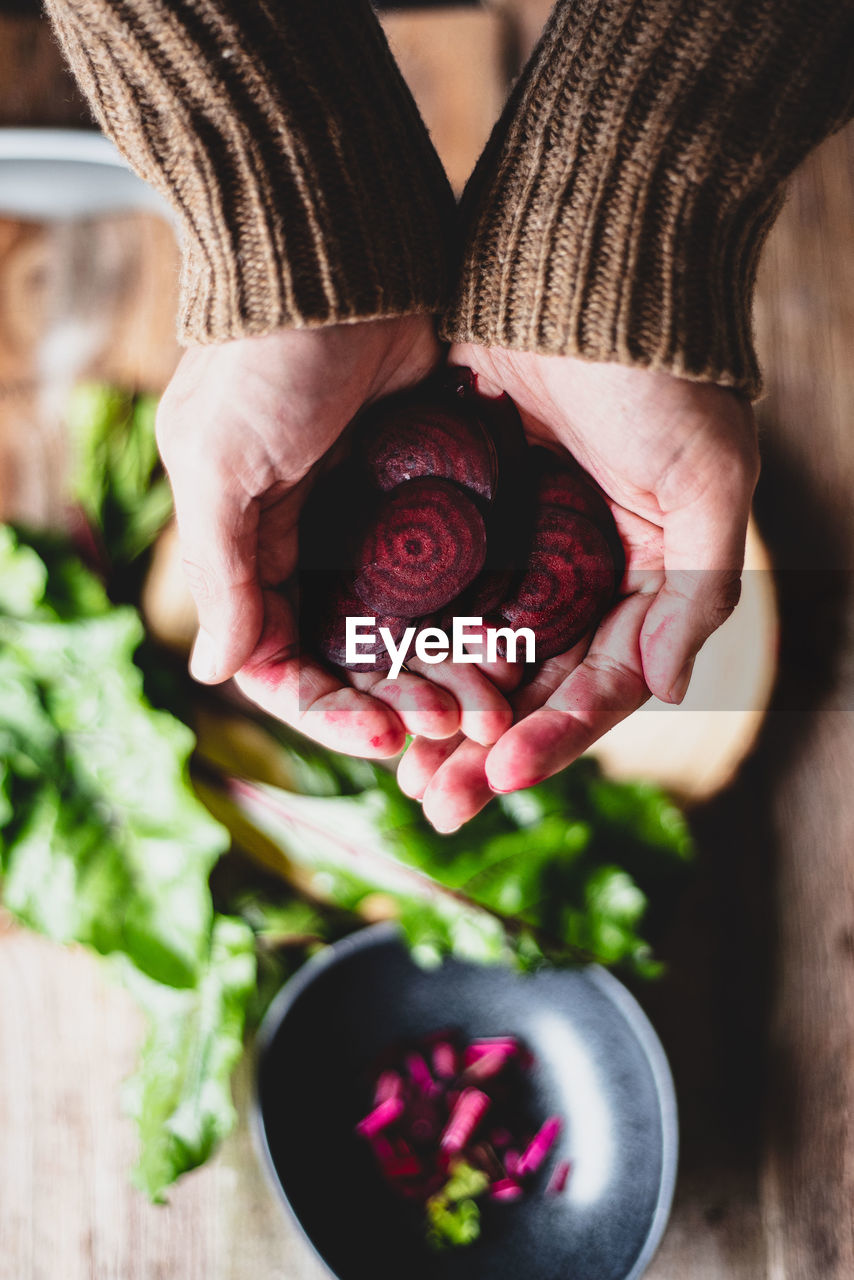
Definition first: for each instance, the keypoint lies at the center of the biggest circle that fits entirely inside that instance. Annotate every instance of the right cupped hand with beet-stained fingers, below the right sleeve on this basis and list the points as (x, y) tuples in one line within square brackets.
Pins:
[(678, 463)]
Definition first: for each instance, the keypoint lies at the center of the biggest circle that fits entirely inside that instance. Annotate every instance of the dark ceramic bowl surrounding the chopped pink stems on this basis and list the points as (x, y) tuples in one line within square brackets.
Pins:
[(599, 1064)]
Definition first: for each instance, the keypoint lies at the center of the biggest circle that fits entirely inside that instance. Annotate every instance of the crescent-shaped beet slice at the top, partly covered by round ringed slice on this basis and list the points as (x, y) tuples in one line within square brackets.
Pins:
[(413, 437)]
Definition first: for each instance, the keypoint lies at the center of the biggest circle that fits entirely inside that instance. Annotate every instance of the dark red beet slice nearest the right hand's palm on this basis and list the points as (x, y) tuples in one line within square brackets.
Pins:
[(568, 584)]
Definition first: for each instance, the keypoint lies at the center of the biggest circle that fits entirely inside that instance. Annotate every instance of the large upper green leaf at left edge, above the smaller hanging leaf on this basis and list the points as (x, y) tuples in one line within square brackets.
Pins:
[(106, 843)]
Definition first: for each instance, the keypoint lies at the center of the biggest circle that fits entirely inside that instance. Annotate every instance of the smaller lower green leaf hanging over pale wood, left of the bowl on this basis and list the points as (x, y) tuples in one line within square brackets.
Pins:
[(180, 1095)]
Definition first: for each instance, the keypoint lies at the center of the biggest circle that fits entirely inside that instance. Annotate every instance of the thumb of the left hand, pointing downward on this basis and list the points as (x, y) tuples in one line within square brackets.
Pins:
[(218, 532)]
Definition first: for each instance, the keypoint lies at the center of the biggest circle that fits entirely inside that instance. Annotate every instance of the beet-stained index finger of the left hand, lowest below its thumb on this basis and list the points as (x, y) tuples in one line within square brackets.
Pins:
[(305, 696)]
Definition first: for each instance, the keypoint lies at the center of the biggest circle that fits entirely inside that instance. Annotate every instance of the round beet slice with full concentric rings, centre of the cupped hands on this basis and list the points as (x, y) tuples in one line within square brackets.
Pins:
[(424, 547)]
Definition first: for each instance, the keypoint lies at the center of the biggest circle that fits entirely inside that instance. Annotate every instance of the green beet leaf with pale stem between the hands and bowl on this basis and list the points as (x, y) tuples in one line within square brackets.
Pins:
[(533, 879)]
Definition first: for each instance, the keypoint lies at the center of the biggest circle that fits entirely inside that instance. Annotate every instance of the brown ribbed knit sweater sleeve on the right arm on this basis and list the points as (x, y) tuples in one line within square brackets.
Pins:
[(620, 207)]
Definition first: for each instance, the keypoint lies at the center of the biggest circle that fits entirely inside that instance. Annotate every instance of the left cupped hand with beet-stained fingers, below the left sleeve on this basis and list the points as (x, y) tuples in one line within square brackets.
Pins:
[(243, 431)]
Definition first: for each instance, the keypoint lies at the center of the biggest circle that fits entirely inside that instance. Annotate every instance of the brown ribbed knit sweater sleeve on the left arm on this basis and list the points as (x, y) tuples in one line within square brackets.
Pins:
[(282, 134)]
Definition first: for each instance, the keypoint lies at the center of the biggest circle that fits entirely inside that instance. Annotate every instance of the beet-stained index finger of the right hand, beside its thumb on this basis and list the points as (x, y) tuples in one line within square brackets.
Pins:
[(602, 691)]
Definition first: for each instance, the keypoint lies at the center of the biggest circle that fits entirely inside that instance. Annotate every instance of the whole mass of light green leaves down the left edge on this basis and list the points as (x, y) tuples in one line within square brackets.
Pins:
[(104, 843)]
